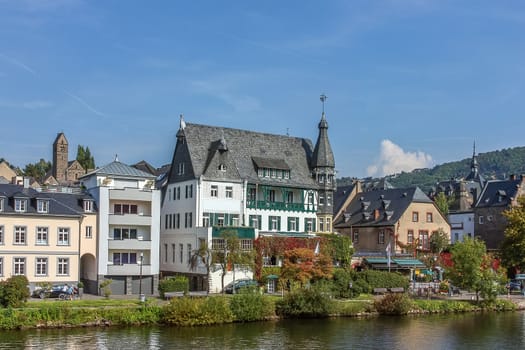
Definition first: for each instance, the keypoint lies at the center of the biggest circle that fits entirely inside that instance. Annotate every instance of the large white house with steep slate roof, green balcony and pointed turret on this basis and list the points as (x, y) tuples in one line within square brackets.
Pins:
[(250, 182)]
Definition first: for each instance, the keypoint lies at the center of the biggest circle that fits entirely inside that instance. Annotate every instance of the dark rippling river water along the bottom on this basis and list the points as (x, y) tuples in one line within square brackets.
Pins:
[(468, 331)]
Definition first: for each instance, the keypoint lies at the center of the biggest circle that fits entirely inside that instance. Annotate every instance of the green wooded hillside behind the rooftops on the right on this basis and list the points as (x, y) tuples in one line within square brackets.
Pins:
[(492, 165)]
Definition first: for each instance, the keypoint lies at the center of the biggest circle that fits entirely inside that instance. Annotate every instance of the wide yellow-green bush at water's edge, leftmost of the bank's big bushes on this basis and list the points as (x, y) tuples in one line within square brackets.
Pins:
[(197, 312)]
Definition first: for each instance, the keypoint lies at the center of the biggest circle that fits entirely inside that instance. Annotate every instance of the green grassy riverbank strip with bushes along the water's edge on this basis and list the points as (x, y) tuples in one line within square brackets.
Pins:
[(225, 309)]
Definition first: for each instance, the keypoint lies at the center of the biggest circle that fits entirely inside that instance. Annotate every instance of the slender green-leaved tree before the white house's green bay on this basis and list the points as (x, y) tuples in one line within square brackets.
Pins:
[(232, 255)]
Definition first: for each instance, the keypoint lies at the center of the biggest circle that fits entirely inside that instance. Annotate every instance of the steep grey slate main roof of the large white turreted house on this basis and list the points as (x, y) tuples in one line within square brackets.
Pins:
[(244, 149)]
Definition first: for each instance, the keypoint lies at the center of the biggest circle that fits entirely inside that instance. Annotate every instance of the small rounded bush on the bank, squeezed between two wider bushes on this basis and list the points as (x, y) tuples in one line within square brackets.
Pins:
[(248, 307)]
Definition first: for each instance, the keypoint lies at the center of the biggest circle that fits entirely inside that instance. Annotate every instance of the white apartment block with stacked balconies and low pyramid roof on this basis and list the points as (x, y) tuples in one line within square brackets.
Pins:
[(128, 242)]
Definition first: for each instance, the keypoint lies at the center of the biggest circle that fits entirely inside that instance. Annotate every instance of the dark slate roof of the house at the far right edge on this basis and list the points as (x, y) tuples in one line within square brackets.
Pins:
[(499, 193)]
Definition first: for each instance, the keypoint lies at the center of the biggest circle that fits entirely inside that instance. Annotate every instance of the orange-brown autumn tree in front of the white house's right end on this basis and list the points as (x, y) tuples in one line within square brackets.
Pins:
[(303, 265)]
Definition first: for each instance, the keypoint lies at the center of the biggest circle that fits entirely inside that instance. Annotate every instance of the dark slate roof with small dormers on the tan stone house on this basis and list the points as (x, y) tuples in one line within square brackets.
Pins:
[(390, 204)]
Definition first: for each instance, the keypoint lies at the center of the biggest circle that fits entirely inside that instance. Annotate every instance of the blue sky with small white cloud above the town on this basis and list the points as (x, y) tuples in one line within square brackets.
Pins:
[(410, 84)]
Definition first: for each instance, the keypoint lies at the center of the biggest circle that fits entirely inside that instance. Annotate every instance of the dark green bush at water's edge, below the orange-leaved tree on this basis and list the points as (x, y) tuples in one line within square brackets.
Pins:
[(313, 302)]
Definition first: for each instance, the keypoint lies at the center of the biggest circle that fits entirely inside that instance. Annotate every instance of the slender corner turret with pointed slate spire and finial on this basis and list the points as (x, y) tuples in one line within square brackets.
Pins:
[(323, 171)]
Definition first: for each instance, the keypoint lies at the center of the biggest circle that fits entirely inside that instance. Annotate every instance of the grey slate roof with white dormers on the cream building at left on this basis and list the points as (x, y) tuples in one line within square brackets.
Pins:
[(60, 204)]
